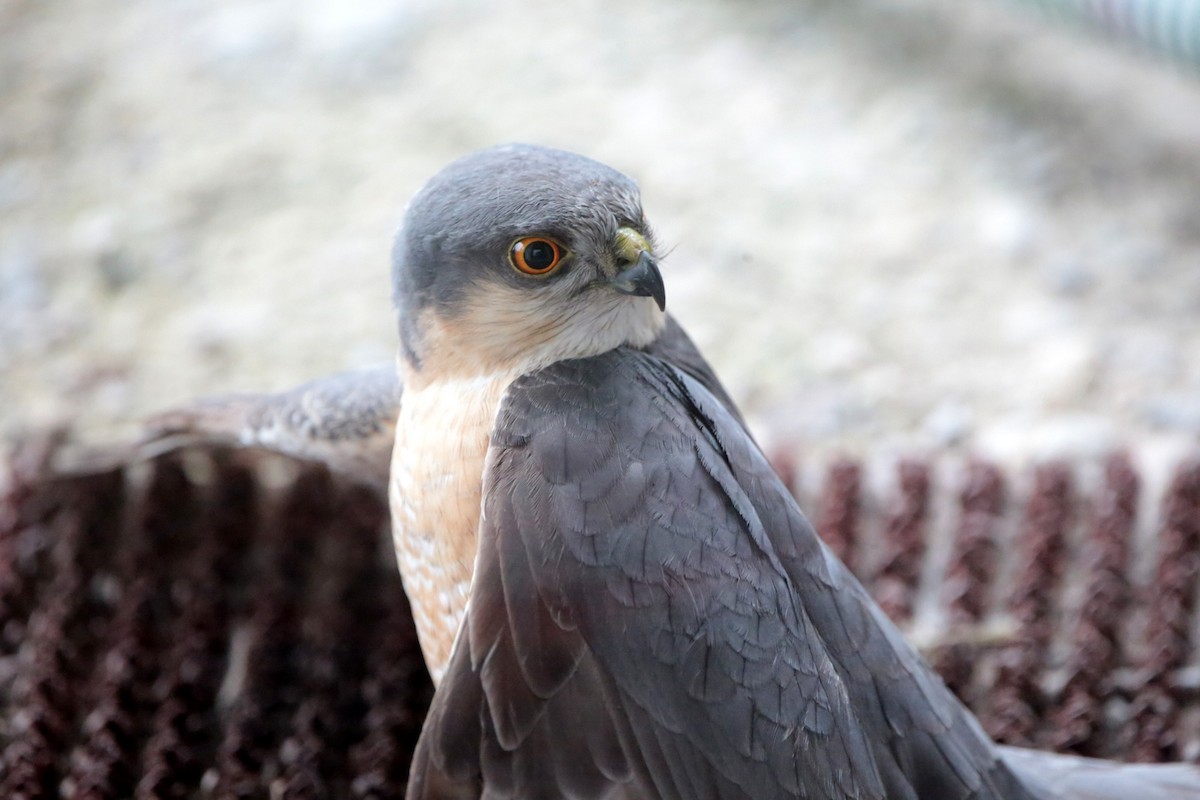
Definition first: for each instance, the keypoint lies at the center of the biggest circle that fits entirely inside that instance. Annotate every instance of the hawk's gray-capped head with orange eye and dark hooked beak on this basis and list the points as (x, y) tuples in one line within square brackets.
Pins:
[(519, 256)]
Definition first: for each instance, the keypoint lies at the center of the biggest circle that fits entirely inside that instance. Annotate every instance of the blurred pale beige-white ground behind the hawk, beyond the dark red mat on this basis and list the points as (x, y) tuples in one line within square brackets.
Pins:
[(893, 225)]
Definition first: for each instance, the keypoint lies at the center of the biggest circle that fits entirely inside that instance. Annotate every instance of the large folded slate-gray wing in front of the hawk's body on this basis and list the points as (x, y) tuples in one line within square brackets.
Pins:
[(653, 617)]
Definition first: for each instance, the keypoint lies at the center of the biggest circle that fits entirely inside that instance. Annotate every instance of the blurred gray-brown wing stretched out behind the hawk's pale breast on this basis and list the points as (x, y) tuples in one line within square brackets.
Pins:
[(347, 420)]
